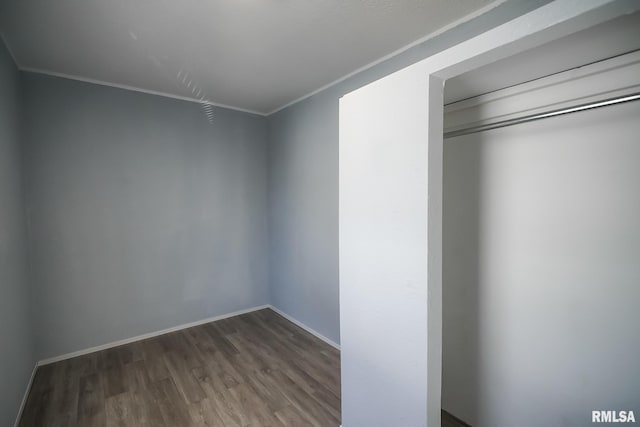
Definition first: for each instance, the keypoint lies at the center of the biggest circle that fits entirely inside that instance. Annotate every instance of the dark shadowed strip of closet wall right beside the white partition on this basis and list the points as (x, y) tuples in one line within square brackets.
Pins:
[(460, 270)]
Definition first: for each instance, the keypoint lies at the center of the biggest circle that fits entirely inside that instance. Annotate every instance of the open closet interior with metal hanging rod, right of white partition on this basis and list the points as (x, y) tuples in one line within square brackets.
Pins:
[(541, 233)]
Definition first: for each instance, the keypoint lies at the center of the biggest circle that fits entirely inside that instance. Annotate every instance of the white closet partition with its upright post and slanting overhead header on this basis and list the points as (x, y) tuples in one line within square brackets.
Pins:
[(390, 219)]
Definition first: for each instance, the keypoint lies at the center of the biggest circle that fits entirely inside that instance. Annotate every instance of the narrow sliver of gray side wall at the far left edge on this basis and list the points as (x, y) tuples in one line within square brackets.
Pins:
[(16, 349)]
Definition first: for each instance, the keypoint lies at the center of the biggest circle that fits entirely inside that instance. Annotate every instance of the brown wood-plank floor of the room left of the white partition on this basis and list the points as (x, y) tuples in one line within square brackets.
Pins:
[(257, 369)]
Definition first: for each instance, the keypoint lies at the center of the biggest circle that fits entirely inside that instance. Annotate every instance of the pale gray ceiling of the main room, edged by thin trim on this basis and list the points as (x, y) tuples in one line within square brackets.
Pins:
[(255, 55)]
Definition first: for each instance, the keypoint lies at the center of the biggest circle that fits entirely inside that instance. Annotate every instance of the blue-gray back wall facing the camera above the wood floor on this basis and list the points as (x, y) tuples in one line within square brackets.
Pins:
[(142, 214)]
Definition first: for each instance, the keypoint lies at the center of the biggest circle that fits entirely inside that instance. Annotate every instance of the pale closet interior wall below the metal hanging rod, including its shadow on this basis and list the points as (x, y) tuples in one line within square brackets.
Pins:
[(541, 270)]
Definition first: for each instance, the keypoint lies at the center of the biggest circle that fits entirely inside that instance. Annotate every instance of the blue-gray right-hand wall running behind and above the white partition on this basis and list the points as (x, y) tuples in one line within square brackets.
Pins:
[(303, 183)]
